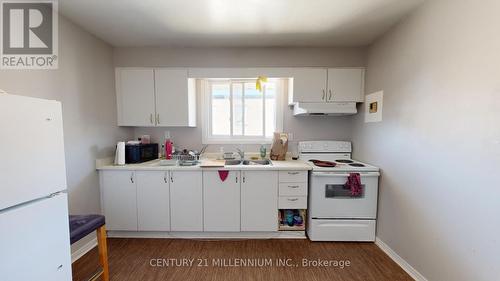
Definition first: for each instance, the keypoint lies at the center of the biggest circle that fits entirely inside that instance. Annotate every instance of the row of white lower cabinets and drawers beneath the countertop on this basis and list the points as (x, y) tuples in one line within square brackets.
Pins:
[(196, 201)]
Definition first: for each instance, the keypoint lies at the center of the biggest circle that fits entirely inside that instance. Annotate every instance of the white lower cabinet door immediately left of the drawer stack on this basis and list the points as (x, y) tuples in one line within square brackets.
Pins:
[(259, 201)]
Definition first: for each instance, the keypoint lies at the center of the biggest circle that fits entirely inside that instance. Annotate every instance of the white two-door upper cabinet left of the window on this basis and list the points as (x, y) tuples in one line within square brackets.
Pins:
[(155, 97)]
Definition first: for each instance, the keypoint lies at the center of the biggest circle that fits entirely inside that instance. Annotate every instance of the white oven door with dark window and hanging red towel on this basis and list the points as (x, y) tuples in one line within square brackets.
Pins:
[(330, 199)]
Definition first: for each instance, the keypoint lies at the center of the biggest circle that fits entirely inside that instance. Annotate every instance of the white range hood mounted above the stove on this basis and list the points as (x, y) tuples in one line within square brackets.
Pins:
[(324, 108)]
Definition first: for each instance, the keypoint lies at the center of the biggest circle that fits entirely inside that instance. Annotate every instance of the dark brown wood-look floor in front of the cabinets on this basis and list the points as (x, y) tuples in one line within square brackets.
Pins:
[(130, 259)]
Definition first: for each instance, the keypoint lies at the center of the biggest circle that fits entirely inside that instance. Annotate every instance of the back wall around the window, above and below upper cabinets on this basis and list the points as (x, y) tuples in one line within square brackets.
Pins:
[(303, 128)]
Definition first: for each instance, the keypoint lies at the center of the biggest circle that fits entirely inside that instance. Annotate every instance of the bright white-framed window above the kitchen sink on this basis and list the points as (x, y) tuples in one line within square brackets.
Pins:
[(236, 112)]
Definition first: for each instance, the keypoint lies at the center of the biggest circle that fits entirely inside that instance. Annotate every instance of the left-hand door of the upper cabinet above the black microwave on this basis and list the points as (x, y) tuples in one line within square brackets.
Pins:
[(135, 96)]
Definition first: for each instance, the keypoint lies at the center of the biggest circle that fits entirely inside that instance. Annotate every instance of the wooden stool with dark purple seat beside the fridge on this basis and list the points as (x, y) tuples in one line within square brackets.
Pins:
[(82, 225)]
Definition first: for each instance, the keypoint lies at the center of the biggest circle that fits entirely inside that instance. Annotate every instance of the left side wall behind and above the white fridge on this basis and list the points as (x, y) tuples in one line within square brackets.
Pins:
[(84, 83)]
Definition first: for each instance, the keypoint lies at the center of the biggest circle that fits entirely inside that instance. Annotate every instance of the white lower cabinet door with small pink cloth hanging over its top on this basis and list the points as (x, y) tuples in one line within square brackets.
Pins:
[(221, 201)]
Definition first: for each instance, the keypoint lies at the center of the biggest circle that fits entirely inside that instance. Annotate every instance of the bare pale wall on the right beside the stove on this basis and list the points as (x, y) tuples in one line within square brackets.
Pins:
[(439, 143)]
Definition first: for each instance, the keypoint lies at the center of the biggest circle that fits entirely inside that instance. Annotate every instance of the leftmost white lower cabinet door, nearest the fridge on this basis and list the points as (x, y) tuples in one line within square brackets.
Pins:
[(119, 199)]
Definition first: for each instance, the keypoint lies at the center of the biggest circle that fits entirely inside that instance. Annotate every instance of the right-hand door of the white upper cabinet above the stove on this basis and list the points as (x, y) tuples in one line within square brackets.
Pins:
[(345, 84)]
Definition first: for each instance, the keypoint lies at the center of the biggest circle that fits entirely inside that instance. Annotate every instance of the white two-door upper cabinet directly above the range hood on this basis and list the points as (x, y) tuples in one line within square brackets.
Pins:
[(321, 85)]
